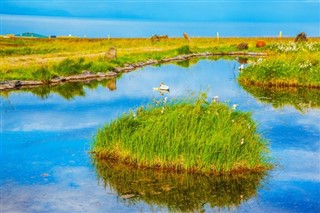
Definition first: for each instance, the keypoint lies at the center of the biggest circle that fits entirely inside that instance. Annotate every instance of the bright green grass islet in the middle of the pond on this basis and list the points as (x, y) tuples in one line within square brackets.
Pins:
[(193, 136)]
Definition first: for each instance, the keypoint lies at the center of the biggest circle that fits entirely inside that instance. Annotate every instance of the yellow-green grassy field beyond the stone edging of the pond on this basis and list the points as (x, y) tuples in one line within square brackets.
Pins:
[(43, 59)]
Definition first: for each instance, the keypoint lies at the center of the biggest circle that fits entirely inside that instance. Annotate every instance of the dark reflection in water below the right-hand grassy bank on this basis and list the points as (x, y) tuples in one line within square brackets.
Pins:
[(299, 98)]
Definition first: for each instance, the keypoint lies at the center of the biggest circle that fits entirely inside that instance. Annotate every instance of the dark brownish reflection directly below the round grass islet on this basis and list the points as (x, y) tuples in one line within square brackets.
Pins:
[(177, 191)]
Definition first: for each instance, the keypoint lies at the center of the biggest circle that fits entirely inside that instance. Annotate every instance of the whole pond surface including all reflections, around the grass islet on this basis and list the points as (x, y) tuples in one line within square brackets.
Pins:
[(47, 133)]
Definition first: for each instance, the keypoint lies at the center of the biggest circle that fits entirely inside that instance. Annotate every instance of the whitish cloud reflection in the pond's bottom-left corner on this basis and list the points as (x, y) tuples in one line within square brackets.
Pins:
[(75, 190)]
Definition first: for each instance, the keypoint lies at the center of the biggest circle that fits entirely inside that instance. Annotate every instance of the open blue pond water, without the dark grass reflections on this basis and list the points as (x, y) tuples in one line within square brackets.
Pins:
[(45, 165)]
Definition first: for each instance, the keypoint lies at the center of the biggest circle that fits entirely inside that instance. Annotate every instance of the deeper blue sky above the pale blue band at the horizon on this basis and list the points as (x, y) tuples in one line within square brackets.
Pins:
[(176, 11)]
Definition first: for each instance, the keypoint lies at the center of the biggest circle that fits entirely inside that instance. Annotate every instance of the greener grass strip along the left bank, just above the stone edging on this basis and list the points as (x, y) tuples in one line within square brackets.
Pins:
[(73, 66)]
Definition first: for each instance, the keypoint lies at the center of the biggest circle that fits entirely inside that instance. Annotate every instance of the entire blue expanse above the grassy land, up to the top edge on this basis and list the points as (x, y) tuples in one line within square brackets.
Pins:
[(142, 18)]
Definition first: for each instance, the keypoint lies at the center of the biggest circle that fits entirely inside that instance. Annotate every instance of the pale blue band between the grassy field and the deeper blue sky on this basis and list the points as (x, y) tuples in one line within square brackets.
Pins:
[(130, 28)]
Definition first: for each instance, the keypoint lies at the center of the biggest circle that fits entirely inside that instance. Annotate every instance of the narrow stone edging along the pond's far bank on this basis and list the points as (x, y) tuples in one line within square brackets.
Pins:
[(87, 75)]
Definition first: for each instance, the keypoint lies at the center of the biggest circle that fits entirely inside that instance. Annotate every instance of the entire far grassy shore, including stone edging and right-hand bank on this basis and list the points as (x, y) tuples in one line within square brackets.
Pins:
[(30, 62)]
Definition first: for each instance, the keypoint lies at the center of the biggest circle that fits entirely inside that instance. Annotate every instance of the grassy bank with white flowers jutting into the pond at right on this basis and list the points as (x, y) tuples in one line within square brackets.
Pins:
[(293, 64)]
